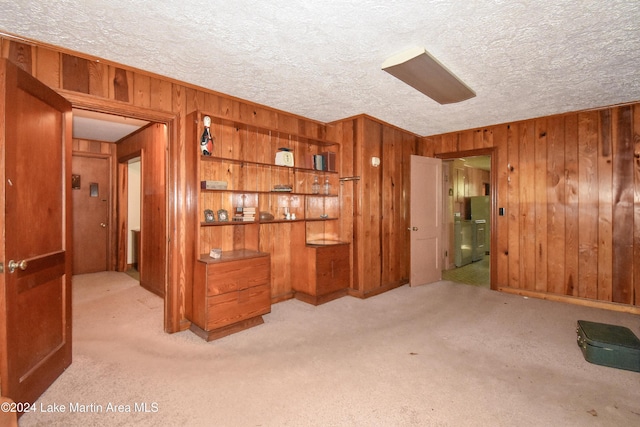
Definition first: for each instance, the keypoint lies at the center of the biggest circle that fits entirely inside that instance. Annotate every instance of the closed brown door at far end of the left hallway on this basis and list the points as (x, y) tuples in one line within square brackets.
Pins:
[(91, 197)]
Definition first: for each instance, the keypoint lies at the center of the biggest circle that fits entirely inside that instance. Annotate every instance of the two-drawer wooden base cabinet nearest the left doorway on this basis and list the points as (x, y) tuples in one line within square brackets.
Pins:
[(230, 294)]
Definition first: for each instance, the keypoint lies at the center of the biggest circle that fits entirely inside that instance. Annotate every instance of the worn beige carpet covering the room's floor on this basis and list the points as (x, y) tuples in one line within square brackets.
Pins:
[(437, 355)]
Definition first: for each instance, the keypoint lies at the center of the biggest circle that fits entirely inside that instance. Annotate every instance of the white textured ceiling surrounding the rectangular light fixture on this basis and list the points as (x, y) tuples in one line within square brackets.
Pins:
[(322, 60)]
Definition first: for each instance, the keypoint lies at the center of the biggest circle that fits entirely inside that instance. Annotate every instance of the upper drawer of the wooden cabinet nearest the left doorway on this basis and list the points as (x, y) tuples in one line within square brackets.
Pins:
[(237, 275)]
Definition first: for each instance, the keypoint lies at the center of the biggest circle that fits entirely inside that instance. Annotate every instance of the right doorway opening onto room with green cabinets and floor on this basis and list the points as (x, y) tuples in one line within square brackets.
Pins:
[(467, 212)]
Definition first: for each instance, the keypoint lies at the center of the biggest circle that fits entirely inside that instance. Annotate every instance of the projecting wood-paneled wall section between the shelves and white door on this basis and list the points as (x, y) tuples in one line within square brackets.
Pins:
[(380, 201)]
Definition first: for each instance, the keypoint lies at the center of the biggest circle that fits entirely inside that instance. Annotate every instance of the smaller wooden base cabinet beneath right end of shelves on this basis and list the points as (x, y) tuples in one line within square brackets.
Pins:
[(323, 273)]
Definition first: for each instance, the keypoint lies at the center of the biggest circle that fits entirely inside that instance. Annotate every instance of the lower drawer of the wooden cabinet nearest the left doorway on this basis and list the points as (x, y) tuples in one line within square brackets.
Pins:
[(232, 307)]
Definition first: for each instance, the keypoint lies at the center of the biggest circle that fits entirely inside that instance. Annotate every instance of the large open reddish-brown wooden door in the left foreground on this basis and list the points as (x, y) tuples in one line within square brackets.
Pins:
[(35, 284)]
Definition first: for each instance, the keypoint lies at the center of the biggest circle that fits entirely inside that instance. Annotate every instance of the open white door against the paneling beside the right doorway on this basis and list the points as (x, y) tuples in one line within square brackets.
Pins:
[(426, 220)]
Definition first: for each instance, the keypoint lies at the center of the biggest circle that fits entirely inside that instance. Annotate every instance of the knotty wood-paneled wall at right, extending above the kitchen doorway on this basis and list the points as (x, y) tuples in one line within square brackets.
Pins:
[(570, 186)]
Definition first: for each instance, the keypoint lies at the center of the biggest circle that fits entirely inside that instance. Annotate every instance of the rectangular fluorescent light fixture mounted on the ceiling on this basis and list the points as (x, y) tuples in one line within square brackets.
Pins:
[(423, 72)]
